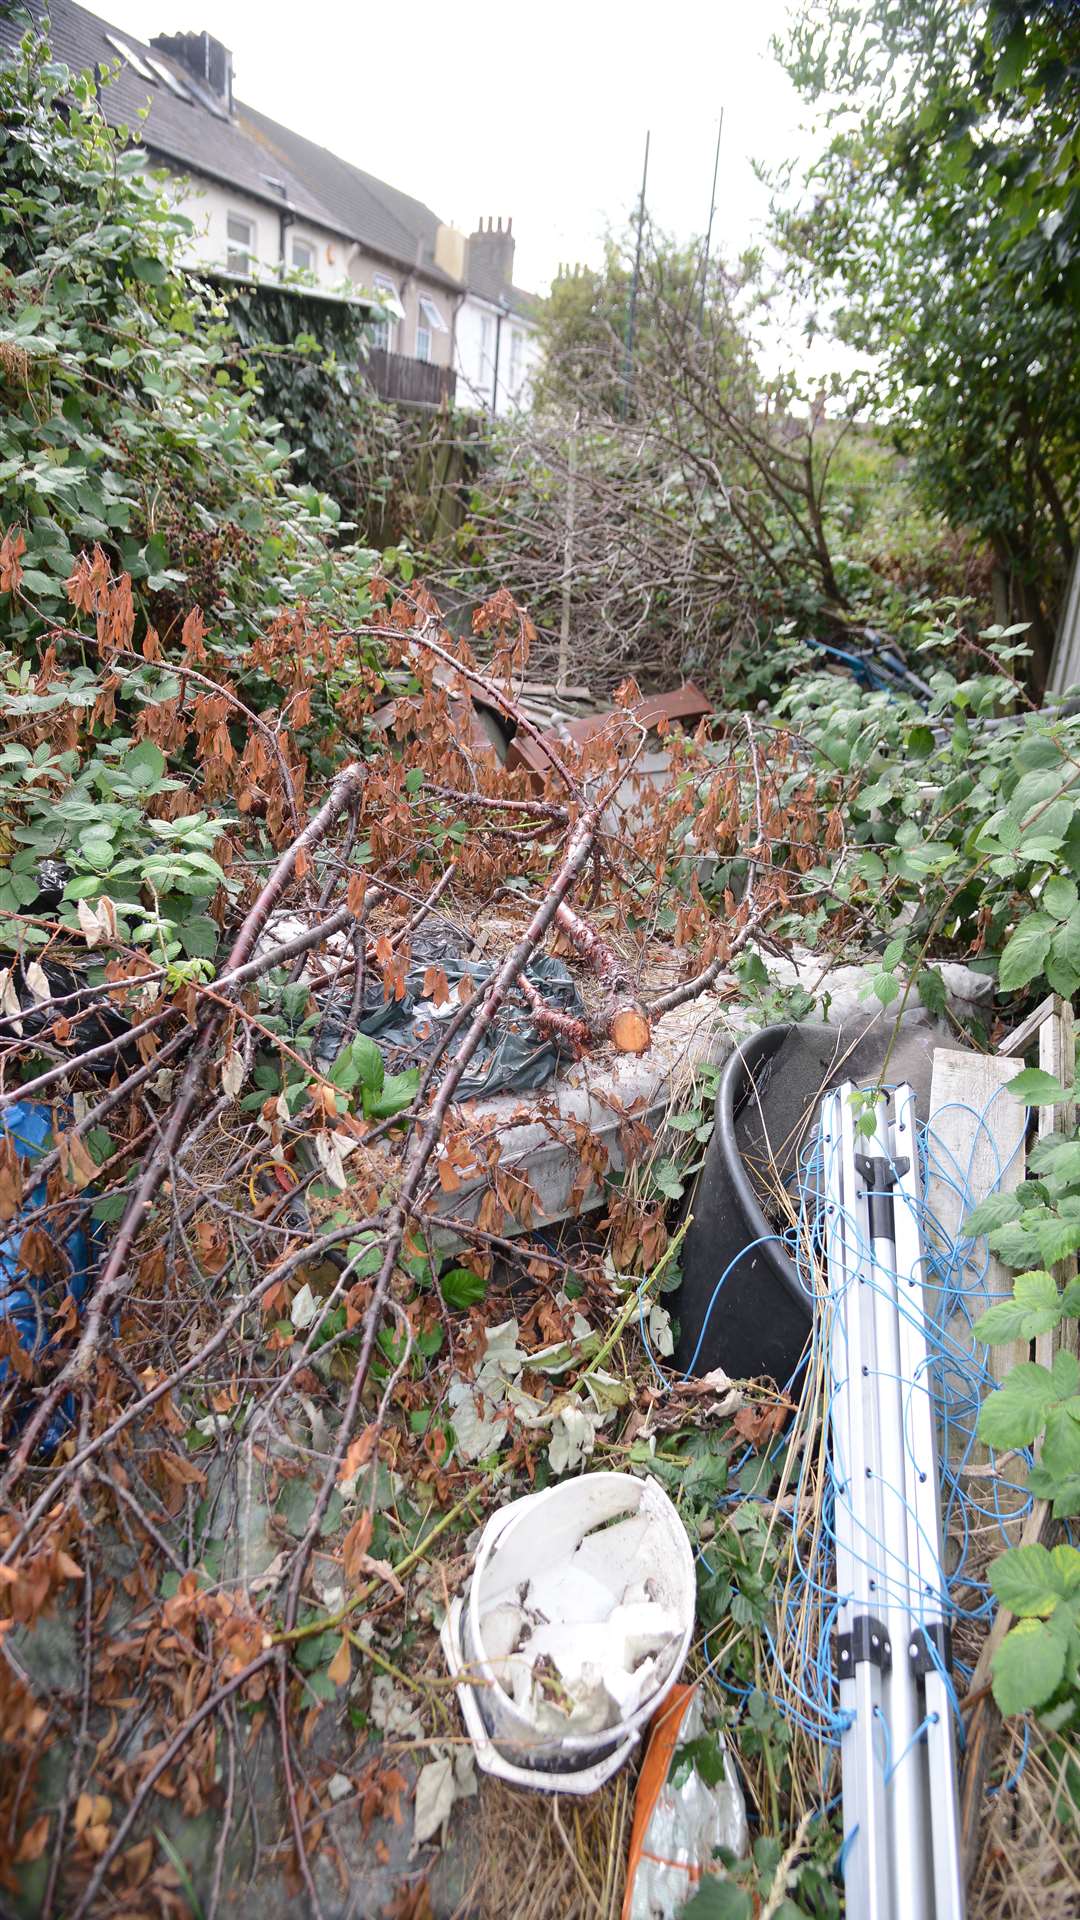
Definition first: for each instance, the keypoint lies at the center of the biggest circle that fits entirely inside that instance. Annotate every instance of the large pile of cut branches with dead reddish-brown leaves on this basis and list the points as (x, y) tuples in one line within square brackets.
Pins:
[(228, 1178)]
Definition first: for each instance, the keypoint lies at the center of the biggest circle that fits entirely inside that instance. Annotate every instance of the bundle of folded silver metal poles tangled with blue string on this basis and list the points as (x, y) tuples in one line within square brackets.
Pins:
[(898, 1754)]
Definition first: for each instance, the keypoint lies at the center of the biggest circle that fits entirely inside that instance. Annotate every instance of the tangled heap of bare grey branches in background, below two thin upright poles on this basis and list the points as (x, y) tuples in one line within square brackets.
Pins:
[(660, 504)]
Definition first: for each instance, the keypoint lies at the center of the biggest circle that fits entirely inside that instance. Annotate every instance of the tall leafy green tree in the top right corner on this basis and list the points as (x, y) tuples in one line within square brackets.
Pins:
[(939, 231)]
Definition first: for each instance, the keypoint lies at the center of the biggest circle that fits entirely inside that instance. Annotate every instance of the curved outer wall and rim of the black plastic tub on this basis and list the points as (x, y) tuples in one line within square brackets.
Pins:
[(760, 1318)]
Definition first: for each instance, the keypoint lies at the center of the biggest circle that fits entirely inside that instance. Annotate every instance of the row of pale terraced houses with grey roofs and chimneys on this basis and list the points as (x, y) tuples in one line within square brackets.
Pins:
[(268, 204)]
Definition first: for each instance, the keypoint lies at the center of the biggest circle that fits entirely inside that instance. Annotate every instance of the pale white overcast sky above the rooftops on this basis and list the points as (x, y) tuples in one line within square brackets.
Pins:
[(528, 112)]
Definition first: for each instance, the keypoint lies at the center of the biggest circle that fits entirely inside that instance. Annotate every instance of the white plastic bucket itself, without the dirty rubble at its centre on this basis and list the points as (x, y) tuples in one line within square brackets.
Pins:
[(533, 1541)]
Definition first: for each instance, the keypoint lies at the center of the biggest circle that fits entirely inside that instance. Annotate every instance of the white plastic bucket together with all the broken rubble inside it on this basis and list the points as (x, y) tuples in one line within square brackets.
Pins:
[(574, 1629)]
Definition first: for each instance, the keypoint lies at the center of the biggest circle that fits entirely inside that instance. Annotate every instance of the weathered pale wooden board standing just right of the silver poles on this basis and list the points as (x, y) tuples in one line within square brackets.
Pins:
[(977, 1149)]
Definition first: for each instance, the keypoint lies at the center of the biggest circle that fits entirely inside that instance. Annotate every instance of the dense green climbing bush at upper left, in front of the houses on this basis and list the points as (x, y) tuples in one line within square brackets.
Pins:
[(126, 418)]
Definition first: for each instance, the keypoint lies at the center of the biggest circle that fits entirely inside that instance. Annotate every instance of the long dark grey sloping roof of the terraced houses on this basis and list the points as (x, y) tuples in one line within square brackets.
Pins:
[(245, 151)]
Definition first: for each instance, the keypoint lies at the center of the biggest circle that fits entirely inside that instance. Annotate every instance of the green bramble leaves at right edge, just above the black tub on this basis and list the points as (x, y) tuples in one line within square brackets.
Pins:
[(960, 819)]
